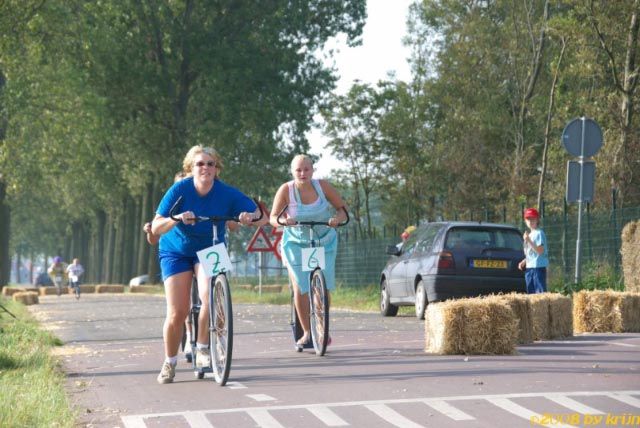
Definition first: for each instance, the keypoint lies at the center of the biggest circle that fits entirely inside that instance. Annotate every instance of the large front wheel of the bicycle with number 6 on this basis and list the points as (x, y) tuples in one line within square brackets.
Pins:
[(319, 312)]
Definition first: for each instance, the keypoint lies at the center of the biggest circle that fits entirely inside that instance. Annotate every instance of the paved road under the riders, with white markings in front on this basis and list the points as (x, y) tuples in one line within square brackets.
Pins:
[(375, 374)]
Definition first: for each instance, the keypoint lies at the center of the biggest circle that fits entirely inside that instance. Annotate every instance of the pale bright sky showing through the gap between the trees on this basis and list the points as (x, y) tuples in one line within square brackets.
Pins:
[(381, 52)]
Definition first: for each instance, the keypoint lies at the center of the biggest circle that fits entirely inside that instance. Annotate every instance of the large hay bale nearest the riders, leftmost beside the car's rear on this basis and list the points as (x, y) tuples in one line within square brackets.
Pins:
[(478, 326)]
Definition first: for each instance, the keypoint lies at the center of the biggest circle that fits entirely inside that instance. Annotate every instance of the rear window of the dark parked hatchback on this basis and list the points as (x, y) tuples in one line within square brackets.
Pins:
[(483, 238)]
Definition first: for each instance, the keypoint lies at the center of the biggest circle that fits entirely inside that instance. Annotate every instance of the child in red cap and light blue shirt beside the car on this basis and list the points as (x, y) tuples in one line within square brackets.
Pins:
[(536, 260)]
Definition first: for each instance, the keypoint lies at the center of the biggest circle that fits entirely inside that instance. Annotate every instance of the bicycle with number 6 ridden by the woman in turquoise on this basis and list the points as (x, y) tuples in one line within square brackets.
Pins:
[(318, 297)]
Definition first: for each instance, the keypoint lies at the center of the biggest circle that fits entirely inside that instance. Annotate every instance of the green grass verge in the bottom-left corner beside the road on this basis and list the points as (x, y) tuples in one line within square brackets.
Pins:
[(31, 381)]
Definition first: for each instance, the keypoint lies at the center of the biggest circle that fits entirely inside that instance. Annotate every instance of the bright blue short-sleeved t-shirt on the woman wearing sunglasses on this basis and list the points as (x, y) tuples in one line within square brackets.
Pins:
[(222, 200)]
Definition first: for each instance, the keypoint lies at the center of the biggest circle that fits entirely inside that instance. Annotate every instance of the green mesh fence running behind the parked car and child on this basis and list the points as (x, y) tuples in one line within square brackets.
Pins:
[(361, 260)]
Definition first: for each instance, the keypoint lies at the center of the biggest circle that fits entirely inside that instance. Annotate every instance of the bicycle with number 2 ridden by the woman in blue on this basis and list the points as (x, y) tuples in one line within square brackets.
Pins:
[(220, 312)]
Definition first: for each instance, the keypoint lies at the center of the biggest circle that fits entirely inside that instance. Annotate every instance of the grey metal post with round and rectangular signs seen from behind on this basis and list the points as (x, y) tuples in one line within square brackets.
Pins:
[(581, 137)]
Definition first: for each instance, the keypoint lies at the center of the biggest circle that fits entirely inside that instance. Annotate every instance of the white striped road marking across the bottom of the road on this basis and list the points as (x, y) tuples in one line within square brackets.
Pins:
[(263, 416)]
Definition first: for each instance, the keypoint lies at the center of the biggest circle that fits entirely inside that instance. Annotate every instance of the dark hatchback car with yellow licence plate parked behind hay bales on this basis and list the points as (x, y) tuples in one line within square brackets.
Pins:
[(447, 260)]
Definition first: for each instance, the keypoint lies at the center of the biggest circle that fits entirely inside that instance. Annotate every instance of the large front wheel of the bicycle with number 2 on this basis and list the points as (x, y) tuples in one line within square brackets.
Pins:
[(220, 328)]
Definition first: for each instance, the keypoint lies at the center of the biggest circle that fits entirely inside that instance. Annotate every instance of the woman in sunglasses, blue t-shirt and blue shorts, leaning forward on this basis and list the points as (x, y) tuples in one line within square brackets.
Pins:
[(203, 194)]
